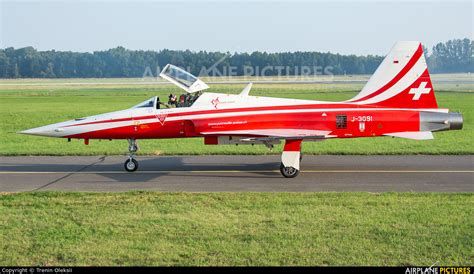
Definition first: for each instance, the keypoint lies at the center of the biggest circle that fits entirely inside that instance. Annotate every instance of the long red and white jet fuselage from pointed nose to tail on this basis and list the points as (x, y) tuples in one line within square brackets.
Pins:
[(214, 112)]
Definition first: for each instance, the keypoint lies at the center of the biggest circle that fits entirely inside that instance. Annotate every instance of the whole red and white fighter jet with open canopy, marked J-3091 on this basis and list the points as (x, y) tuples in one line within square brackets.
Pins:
[(397, 101)]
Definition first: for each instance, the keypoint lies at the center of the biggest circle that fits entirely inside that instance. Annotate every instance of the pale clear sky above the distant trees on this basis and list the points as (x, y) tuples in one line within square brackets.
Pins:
[(346, 27)]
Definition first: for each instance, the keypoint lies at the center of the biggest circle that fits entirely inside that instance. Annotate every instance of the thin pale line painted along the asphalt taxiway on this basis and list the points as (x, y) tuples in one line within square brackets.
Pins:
[(234, 171)]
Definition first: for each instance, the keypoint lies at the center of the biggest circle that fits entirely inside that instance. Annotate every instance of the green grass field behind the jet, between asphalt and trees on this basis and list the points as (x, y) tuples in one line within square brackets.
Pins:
[(34, 102)]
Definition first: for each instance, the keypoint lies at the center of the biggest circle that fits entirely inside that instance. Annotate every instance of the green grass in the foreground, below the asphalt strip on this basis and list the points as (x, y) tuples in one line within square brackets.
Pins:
[(144, 228)]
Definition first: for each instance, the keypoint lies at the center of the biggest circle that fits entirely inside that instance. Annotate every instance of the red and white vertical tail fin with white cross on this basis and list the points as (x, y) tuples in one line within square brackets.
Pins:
[(402, 80)]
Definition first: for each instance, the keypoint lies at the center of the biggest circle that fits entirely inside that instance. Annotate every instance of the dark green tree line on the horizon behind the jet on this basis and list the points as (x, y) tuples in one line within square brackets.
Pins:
[(449, 57)]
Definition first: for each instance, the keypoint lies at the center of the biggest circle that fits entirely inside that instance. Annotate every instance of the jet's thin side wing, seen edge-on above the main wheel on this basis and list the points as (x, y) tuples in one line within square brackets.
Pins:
[(273, 134)]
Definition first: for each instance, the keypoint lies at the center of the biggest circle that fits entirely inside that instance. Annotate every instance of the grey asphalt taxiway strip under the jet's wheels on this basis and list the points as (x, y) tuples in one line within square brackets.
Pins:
[(238, 173)]
